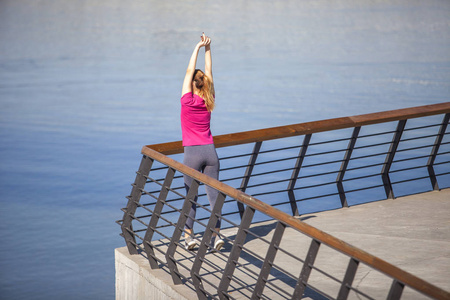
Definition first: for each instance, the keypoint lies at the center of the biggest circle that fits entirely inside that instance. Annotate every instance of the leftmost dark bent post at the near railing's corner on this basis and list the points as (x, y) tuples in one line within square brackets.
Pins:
[(133, 199)]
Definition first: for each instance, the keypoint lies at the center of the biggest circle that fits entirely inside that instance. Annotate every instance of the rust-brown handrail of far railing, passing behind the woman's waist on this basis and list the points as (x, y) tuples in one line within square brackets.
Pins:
[(310, 127)]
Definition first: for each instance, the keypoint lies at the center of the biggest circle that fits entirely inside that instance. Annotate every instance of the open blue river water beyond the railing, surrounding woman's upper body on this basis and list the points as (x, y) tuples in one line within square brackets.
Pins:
[(84, 84)]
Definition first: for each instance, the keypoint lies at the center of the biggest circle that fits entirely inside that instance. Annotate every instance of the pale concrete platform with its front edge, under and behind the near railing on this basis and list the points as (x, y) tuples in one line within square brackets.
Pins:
[(412, 233)]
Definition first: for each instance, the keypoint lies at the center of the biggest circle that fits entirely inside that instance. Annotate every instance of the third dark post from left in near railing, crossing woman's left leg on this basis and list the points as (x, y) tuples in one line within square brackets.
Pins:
[(184, 214)]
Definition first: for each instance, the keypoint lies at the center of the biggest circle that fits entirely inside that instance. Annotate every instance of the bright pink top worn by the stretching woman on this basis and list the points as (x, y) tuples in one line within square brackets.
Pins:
[(195, 121)]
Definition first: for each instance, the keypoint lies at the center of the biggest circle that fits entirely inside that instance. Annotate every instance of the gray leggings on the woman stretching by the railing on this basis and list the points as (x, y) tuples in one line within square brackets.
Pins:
[(202, 158)]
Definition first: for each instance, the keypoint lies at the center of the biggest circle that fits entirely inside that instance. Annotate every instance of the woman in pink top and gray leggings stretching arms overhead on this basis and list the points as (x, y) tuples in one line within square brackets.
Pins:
[(197, 103)]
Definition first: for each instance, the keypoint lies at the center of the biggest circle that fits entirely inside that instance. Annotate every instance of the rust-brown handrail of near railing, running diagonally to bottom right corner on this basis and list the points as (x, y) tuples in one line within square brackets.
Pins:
[(339, 245)]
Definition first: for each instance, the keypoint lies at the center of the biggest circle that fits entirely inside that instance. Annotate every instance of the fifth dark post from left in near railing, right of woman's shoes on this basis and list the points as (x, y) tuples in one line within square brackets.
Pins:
[(235, 252)]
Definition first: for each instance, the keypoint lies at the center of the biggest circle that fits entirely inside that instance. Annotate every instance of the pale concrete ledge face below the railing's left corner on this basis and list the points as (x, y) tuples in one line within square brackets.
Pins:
[(135, 280)]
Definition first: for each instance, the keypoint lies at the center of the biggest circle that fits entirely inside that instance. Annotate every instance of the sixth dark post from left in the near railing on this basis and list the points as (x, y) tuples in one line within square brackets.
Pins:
[(268, 261)]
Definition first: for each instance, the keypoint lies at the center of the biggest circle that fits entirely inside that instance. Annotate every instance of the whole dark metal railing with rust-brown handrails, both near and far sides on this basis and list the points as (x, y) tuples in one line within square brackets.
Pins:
[(335, 163)]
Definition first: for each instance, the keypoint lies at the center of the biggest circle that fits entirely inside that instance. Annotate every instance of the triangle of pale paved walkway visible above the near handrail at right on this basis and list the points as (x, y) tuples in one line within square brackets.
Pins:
[(412, 233)]
